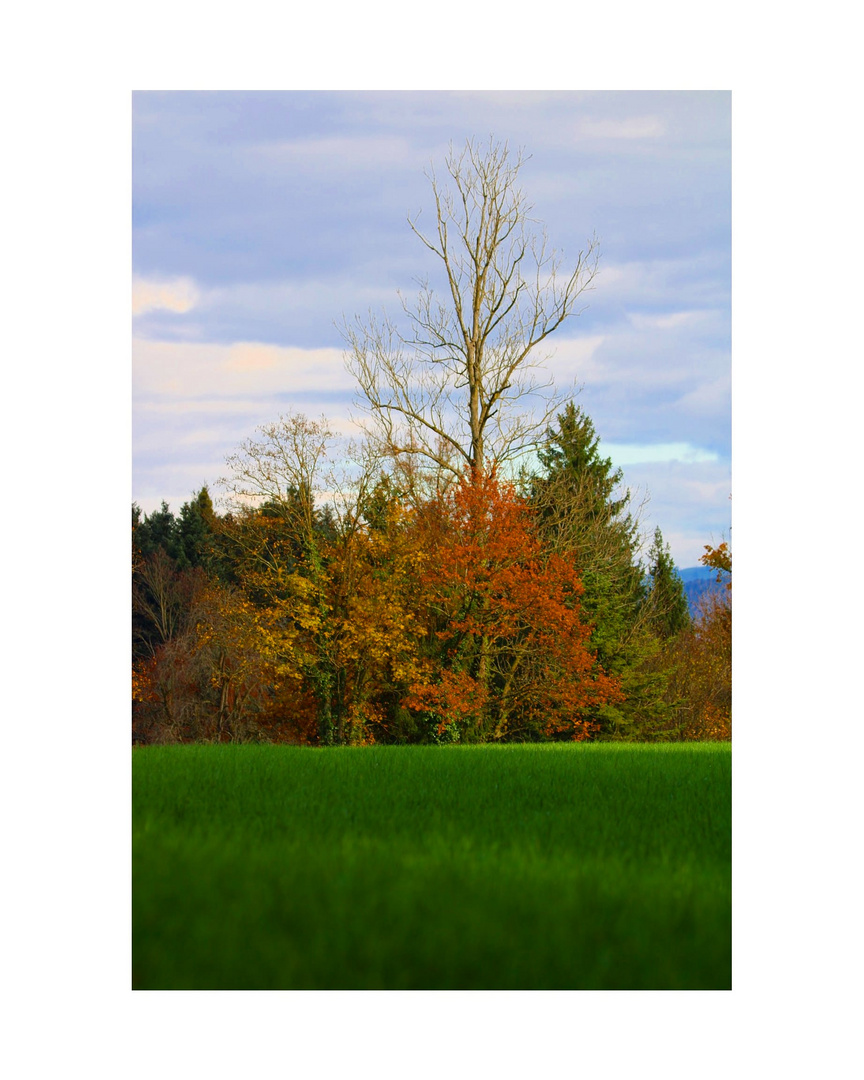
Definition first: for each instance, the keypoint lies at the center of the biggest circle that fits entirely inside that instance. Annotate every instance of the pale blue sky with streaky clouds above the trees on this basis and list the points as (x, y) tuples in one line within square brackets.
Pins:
[(262, 220)]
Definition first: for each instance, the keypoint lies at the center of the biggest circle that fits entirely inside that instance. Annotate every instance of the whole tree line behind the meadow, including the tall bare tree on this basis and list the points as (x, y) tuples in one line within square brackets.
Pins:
[(425, 586)]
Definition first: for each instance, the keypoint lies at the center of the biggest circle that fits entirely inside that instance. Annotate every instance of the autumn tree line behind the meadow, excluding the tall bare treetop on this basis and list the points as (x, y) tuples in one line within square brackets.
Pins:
[(404, 610)]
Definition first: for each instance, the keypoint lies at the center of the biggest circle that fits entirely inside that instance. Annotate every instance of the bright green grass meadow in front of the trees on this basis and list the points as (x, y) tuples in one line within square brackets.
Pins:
[(593, 867)]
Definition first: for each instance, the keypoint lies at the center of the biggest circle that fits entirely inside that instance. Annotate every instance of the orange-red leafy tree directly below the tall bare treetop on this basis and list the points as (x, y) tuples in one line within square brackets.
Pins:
[(507, 655)]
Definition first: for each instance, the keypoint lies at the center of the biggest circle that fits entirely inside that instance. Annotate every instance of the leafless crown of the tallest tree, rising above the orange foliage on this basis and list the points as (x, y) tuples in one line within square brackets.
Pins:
[(461, 386)]
